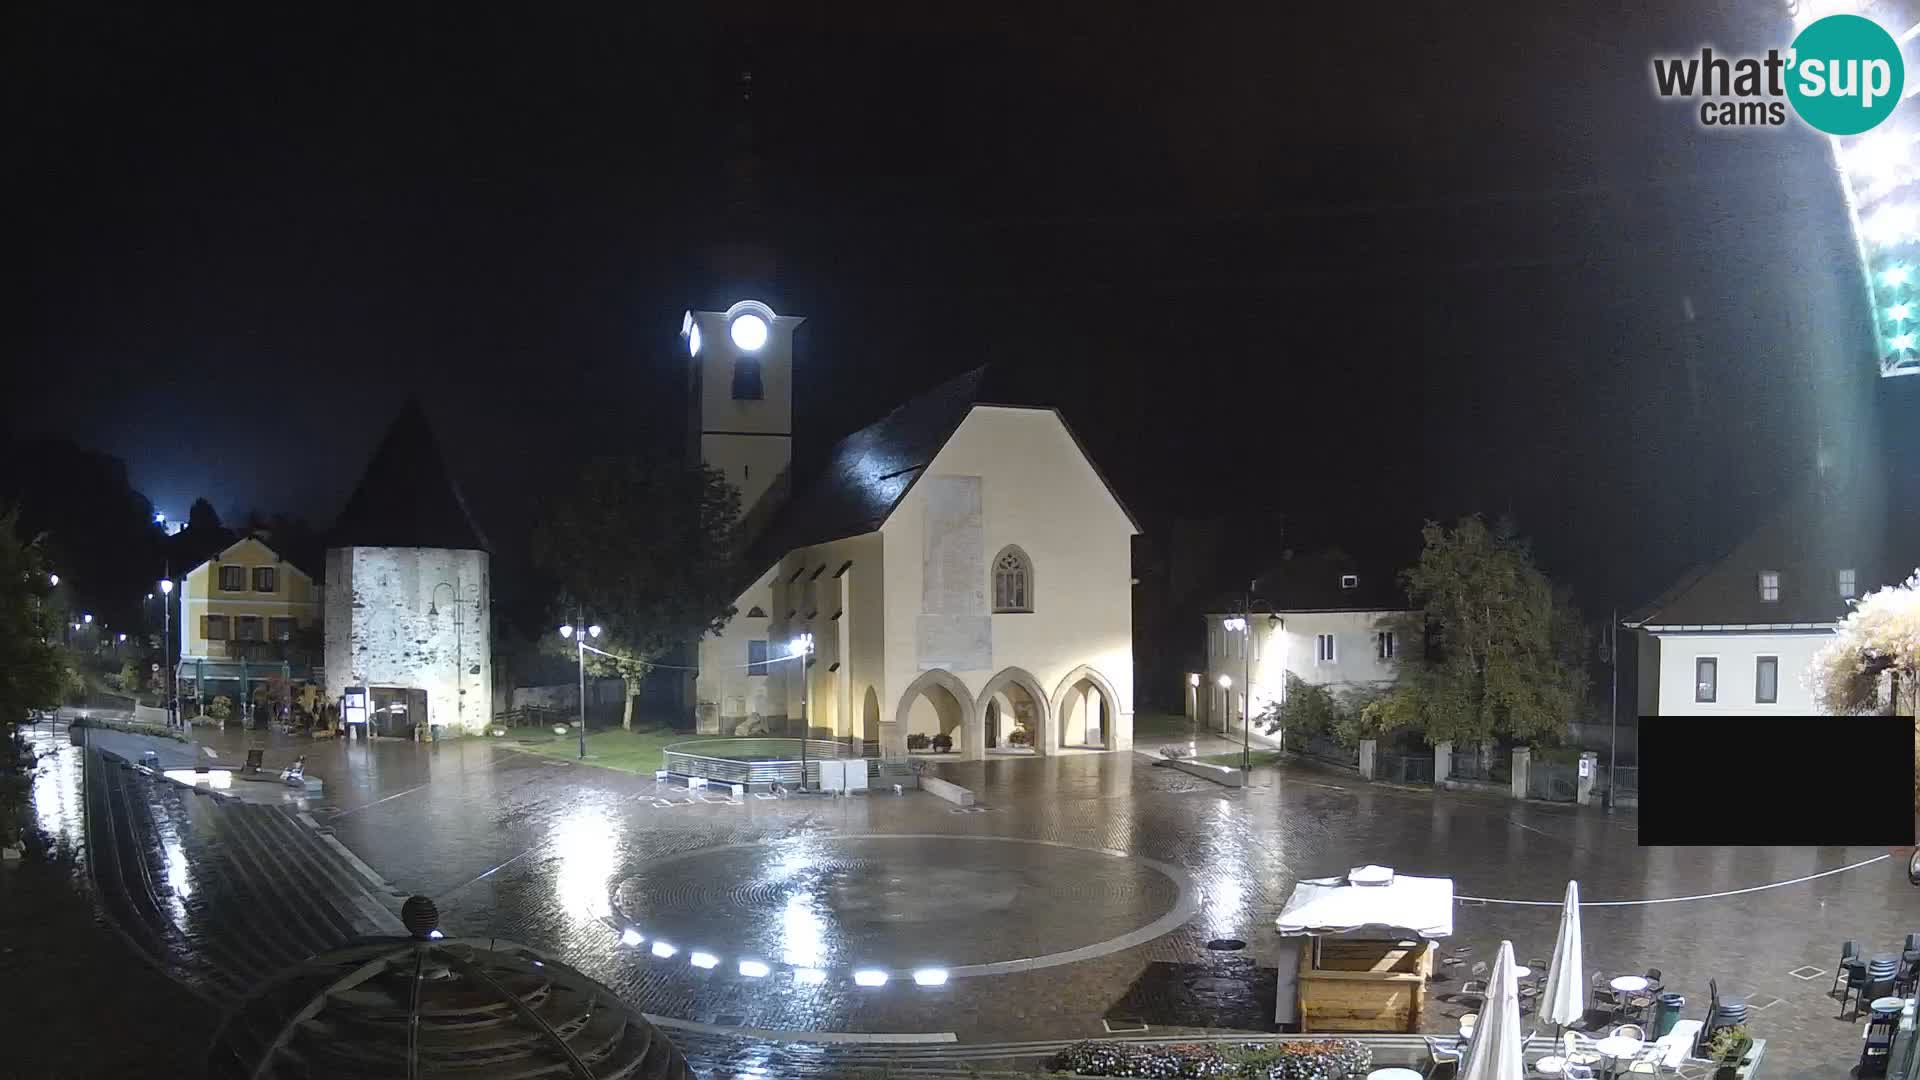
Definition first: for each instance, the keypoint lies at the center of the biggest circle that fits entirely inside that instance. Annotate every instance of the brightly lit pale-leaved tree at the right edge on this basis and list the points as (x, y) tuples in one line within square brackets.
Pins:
[(1873, 664)]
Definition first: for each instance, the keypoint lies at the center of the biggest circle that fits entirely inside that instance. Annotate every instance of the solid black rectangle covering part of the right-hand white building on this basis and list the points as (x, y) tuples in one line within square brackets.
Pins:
[(1777, 781)]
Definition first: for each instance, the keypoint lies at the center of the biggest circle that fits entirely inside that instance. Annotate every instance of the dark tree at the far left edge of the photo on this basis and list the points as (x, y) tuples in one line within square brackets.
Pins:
[(32, 672)]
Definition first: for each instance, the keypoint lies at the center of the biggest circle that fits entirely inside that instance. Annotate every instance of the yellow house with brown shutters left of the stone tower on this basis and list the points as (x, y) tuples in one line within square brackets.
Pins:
[(243, 620)]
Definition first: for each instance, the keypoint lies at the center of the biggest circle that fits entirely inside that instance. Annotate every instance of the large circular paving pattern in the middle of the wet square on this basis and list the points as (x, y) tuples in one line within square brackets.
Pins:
[(965, 904)]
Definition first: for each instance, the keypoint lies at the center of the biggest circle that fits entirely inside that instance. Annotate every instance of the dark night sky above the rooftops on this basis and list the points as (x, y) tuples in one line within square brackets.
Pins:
[(1358, 268)]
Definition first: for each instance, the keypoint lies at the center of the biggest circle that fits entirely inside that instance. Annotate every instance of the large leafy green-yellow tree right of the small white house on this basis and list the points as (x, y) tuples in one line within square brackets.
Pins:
[(1506, 654)]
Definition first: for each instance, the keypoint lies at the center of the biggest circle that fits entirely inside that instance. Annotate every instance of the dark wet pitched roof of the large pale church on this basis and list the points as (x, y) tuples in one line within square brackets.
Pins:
[(873, 470)]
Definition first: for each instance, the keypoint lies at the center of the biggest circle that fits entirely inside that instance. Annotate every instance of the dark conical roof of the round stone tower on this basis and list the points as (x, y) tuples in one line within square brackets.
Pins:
[(408, 499)]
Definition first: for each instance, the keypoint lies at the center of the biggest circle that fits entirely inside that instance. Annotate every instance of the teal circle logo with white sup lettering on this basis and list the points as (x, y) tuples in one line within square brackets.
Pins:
[(1848, 74)]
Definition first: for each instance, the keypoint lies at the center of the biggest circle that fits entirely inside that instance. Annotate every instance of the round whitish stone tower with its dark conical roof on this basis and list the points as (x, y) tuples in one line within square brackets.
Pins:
[(408, 599)]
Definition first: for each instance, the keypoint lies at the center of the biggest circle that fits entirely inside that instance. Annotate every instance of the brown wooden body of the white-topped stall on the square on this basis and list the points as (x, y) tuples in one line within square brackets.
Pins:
[(1362, 985)]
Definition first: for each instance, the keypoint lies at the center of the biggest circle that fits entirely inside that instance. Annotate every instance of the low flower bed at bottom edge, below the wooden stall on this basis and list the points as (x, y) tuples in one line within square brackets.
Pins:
[(1305, 1060)]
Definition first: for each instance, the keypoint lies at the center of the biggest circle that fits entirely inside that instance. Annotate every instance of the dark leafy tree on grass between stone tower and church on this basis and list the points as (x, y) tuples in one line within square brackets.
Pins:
[(646, 551)]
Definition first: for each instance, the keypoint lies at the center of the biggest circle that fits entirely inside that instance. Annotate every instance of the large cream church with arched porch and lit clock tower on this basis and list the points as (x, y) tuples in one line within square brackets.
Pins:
[(955, 579)]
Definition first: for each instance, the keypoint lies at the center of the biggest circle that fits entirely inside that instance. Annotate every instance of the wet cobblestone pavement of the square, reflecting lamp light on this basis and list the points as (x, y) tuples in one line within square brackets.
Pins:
[(567, 858)]
